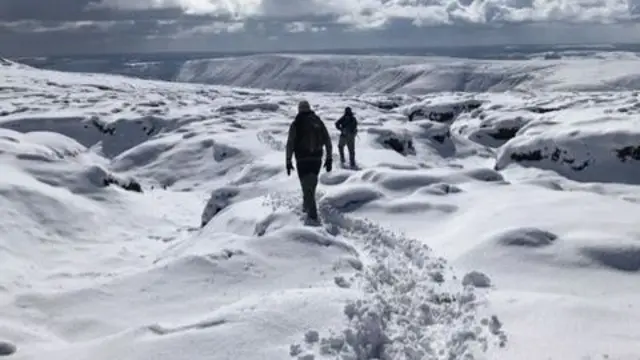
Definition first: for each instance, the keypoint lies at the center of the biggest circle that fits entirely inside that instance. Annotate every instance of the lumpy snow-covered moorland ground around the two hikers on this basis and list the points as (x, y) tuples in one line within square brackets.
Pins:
[(152, 220)]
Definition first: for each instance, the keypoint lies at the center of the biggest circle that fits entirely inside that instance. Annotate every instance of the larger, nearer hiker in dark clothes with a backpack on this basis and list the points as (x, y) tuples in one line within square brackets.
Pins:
[(307, 136)]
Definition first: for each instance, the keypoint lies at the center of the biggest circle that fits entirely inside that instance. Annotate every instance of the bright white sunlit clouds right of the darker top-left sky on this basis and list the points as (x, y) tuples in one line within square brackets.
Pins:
[(376, 13)]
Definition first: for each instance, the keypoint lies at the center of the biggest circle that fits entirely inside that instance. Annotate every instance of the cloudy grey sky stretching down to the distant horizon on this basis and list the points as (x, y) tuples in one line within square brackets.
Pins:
[(49, 27)]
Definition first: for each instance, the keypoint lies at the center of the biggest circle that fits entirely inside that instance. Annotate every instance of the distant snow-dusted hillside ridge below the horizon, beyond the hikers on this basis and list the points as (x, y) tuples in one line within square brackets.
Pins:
[(355, 74)]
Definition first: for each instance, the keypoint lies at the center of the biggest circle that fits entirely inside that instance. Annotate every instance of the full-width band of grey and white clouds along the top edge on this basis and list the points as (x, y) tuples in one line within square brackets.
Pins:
[(356, 13)]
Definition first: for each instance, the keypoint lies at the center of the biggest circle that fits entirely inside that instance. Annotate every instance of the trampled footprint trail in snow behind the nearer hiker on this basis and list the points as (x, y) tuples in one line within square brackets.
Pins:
[(414, 308)]
